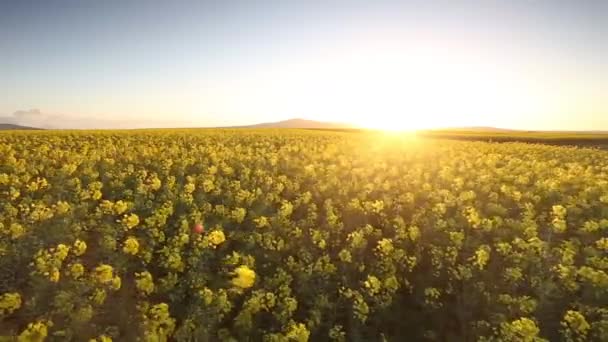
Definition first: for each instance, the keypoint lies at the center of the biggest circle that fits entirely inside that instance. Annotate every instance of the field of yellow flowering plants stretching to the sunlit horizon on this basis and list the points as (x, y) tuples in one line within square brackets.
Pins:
[(308, 235)]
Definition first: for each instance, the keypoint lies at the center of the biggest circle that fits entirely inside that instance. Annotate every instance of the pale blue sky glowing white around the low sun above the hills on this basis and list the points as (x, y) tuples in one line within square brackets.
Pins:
[(539, 65)]
